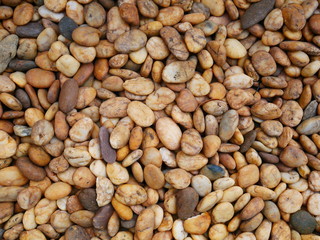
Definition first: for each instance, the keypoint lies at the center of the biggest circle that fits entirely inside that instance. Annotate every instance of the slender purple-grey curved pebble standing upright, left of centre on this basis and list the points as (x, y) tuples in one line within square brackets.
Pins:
[(108, 153)]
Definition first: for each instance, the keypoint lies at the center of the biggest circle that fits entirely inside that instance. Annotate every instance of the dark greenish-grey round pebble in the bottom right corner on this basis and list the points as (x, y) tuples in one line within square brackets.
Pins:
[(303, 222)]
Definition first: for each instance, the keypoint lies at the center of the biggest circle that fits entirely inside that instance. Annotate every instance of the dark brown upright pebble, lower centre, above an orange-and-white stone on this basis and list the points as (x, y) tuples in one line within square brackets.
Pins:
[(187, 201)]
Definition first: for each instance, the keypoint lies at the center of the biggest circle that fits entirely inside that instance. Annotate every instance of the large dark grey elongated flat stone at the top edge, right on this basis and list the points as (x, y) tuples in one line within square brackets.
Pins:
[(256, 13)]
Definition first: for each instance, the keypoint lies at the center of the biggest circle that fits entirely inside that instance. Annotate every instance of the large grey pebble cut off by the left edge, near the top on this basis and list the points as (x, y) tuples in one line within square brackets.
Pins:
[(8, 50)]
